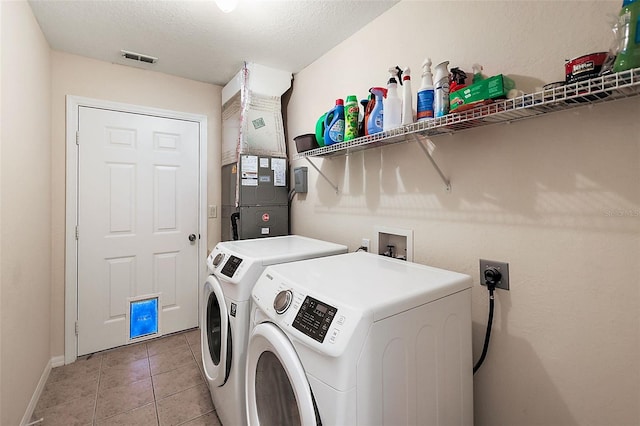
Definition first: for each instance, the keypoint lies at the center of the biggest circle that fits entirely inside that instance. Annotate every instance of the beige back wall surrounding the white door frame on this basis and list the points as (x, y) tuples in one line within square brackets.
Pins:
[(79, 76)]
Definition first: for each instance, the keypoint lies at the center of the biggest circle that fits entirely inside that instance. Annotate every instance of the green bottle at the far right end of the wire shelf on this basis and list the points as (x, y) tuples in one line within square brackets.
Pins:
[(629, 22)]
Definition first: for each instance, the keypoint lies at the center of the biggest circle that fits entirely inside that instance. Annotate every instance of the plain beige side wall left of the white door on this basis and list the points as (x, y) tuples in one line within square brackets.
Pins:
[(25, 209)]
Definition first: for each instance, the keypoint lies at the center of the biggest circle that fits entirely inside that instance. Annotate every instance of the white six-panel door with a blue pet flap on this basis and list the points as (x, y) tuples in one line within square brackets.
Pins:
[(137, 209)]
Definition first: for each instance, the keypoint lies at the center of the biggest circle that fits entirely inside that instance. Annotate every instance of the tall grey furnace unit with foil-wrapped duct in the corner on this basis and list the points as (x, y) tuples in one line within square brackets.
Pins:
[(254, 157)]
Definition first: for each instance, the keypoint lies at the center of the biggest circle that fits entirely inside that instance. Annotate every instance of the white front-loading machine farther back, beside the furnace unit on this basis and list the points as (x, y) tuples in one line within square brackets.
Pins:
[(234, 267)]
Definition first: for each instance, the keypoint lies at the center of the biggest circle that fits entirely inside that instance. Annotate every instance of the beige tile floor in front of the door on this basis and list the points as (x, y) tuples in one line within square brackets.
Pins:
[(157, 382)]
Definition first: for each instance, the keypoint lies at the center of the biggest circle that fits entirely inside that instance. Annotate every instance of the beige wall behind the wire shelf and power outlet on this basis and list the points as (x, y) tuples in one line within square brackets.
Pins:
[(557, 197)]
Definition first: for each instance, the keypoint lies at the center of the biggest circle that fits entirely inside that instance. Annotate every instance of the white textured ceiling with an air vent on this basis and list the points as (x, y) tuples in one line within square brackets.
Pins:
[(196, 40)]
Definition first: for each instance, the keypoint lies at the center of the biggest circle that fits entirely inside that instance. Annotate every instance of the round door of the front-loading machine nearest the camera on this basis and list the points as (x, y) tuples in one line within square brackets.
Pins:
[(277, 389)]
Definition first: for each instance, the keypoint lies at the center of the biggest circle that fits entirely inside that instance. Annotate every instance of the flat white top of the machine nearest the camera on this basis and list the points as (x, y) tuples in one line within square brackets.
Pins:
[(367, 283)]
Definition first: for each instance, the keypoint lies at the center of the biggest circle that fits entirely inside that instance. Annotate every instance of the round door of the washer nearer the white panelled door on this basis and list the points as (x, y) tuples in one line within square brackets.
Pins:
[(215, 334)]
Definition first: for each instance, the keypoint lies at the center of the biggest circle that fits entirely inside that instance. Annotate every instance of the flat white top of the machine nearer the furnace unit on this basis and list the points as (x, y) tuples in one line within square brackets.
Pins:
[(274, 250)]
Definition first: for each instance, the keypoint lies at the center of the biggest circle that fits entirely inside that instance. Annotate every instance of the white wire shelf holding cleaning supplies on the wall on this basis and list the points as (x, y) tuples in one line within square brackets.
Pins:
[(606, 88)]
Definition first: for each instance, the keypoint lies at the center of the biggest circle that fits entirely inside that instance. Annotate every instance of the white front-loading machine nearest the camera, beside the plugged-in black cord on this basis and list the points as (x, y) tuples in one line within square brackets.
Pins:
[(360, 339)]
